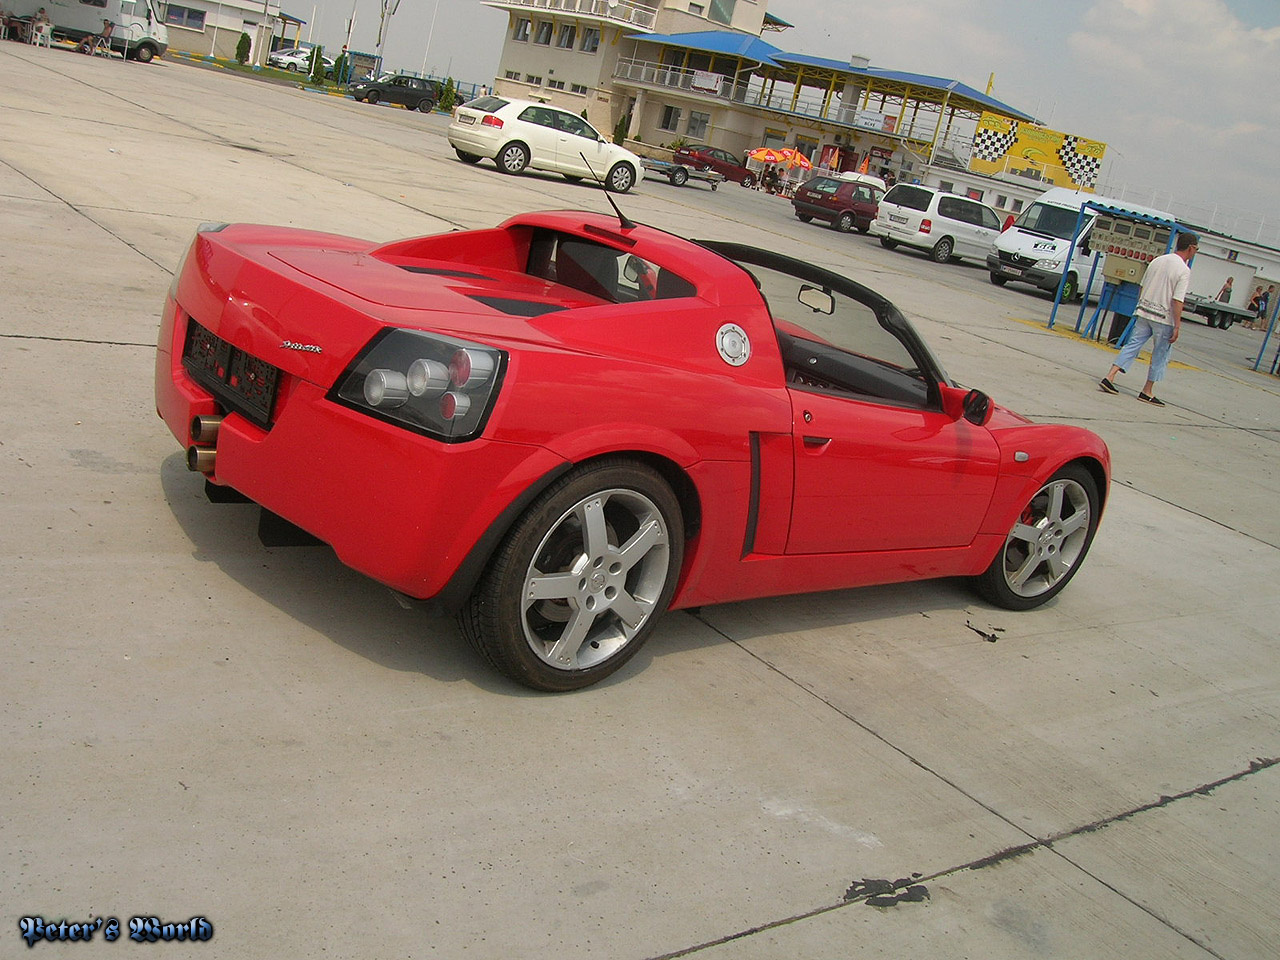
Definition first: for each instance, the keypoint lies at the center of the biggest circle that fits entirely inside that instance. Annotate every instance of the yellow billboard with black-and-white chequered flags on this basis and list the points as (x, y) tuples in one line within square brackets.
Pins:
[(1002, 145)]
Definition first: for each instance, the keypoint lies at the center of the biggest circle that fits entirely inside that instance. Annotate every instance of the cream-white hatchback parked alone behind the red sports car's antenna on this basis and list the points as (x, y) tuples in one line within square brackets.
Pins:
[(522, 135)]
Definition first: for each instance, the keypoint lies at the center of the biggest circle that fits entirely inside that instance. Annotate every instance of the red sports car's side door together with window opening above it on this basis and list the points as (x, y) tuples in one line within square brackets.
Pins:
[(879, 465)]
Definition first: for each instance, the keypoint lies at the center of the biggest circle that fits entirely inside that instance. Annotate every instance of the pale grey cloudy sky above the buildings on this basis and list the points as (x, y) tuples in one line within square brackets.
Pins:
[(1185, 93)]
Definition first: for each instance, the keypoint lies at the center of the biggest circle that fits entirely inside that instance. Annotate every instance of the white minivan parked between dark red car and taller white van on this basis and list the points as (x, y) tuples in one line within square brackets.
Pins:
[(944, 225)]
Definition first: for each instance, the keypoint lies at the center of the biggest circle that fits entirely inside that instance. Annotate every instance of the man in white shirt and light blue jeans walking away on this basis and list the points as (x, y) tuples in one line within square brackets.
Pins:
[(1159, 317)]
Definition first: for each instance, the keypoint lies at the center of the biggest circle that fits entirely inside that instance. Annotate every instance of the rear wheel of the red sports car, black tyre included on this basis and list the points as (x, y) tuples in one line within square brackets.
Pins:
[(582, 578)]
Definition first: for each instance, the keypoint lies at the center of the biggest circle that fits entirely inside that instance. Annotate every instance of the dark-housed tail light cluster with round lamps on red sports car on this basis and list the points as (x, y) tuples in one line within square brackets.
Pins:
[(438, 386)]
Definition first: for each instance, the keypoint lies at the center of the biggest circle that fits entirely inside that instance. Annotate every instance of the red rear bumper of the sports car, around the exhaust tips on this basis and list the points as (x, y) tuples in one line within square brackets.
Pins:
[(396, 506)]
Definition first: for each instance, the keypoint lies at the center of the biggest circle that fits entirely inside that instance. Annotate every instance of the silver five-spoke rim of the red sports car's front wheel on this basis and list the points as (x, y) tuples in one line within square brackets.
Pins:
[(1049, 538)]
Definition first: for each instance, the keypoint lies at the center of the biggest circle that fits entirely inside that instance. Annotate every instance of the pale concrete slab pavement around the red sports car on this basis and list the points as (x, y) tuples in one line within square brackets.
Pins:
[(196, 725)]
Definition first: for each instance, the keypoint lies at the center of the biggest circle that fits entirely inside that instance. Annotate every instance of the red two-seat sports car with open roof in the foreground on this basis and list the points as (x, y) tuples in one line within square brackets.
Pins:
[(566, 426)]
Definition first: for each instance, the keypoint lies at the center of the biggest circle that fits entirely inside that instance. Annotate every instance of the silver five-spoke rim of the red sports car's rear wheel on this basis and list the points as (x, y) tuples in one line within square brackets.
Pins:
[(596, 579)]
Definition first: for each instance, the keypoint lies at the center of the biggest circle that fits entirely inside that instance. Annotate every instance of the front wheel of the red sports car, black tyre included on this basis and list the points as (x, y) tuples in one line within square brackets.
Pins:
[(1046, 545)]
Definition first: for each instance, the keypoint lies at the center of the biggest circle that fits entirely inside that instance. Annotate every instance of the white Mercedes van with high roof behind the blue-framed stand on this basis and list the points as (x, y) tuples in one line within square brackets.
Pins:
[(1035, 248)]
